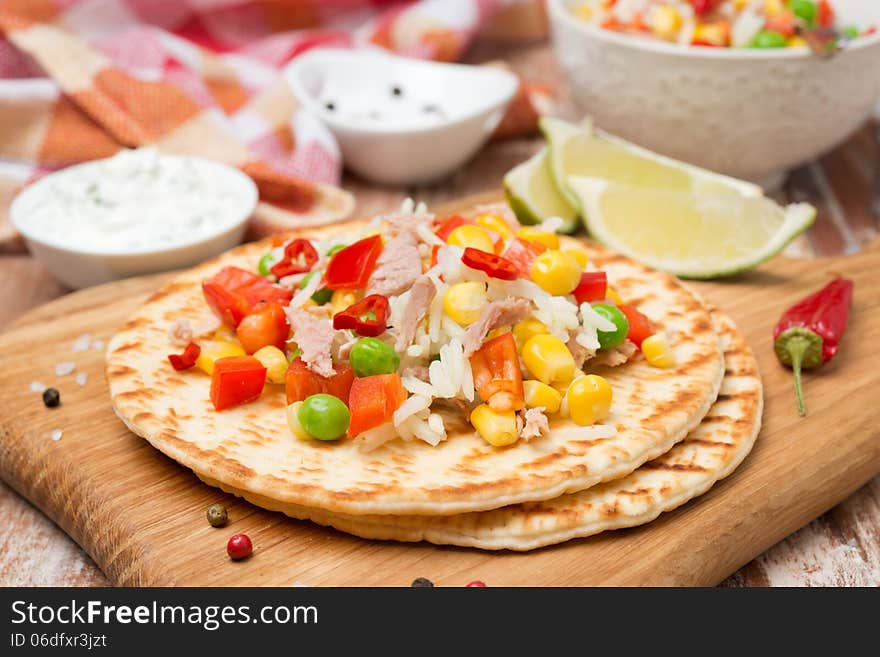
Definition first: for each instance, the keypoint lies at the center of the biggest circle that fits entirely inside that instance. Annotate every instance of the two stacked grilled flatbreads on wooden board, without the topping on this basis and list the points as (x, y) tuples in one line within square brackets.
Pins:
[(671, 435)]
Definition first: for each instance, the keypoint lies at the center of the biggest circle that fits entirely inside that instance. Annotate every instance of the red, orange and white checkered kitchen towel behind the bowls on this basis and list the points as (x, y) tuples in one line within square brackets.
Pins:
[(80, 79)]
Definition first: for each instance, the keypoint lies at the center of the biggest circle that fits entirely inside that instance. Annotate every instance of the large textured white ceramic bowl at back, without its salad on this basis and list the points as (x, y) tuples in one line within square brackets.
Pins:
[(745, 112)]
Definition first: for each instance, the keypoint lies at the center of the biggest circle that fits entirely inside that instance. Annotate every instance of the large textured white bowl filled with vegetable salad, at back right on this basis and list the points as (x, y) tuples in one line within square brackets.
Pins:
[(730, 85)]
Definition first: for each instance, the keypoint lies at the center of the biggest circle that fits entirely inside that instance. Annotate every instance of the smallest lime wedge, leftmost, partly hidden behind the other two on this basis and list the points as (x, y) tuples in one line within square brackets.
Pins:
[(533, 195)]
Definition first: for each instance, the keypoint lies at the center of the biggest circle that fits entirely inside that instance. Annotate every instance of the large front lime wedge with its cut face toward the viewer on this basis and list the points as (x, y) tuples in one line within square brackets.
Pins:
[(694, 234)]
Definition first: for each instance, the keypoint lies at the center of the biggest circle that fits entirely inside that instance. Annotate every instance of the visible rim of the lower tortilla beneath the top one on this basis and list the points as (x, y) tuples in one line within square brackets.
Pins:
[(709, 453)]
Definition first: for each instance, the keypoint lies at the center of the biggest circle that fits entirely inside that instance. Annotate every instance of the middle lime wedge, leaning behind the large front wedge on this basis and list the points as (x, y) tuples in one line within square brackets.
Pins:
[(582, 150)]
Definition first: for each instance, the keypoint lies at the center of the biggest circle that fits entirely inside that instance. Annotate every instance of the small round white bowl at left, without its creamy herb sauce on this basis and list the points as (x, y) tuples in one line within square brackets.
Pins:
[(82, 266)]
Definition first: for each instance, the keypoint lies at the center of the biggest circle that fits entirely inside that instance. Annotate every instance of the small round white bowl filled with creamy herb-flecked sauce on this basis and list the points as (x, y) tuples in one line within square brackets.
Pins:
[(83, 248)]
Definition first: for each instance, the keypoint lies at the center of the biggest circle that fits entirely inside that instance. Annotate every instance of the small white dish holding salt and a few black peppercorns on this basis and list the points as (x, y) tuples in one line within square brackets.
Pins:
[(401, 121)]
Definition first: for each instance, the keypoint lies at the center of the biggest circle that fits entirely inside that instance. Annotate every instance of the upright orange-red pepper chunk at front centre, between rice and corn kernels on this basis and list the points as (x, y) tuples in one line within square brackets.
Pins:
[(497, 375)]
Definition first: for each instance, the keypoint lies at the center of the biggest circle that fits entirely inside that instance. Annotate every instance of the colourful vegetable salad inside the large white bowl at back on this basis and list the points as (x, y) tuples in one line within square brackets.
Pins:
[(719, 23)]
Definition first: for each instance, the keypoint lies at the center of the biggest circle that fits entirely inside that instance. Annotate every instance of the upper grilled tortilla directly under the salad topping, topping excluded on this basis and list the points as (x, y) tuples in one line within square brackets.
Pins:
[(250, 448)]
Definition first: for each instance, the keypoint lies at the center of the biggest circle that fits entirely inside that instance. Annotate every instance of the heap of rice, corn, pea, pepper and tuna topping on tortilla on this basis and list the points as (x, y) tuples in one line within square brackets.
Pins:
[(374, 337)]
